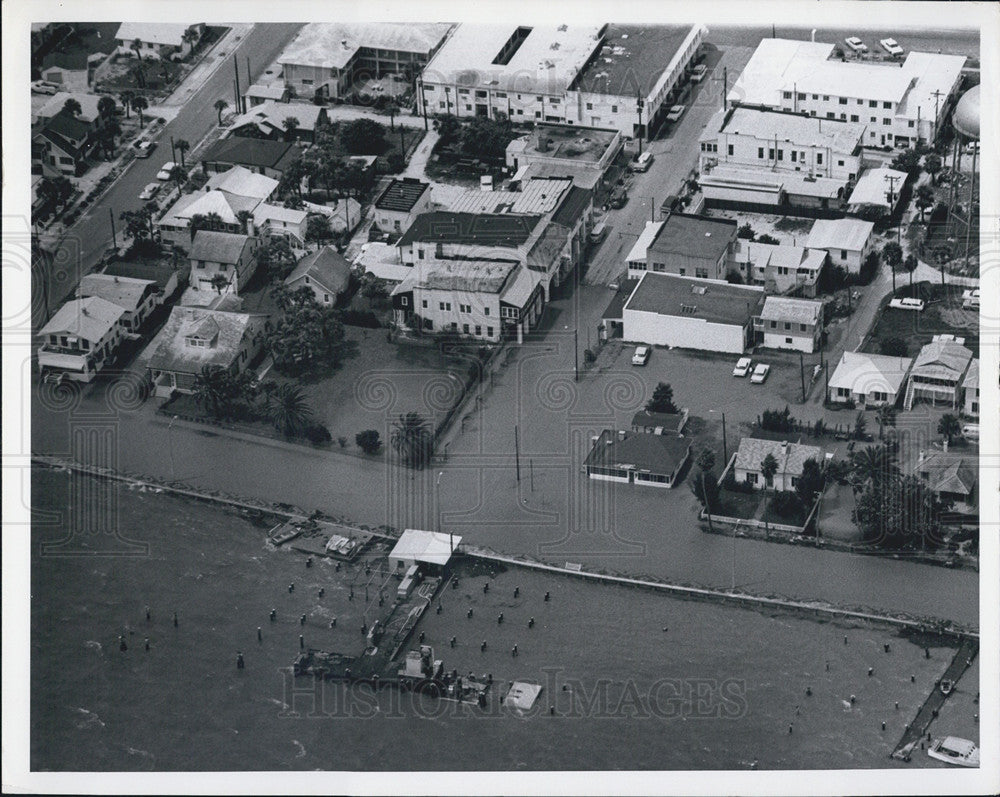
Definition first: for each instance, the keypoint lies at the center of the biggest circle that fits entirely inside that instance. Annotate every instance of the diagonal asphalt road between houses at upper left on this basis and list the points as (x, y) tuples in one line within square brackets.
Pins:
[(83, 245)]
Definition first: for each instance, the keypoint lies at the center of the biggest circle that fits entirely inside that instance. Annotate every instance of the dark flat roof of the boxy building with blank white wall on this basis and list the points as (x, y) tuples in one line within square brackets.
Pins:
[(716, 302)]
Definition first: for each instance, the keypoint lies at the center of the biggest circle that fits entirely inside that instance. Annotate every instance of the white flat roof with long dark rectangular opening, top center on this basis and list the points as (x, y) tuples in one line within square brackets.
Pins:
[(539, 59)]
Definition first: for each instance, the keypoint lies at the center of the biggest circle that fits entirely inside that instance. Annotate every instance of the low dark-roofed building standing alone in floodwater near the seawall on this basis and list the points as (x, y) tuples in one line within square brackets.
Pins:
[(652, 460)]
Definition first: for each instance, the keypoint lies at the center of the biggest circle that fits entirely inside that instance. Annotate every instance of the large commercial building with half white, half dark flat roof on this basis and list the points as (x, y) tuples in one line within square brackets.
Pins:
[(611, 76)]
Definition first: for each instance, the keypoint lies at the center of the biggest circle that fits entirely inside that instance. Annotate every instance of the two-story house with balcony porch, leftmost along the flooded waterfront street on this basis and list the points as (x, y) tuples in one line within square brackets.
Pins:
[(80, 339)]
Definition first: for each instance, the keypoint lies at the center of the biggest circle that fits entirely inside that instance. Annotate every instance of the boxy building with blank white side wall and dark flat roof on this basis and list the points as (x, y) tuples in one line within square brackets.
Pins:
[(667, 310)]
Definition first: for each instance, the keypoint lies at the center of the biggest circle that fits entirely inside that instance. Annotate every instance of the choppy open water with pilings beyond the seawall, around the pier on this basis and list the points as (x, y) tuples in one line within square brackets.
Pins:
[(651, 682)]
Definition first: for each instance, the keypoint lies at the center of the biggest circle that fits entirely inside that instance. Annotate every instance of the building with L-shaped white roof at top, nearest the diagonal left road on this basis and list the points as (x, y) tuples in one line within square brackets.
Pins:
[(326, 60)]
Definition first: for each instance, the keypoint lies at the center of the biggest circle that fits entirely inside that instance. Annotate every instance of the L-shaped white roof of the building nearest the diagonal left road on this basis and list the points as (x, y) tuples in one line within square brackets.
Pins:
[(332, 45)]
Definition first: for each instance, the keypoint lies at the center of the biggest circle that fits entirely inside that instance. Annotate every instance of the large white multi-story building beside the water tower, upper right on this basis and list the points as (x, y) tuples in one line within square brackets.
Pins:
[(897, 102)]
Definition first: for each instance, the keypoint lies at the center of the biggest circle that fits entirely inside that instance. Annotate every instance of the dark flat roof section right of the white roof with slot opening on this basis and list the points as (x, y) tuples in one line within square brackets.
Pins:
[(631, 58)]
